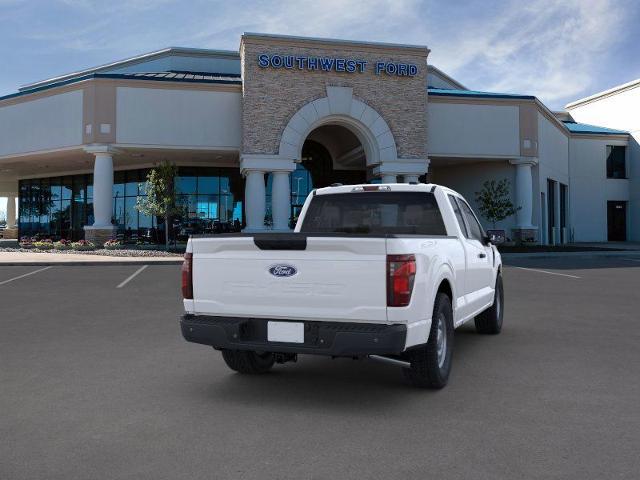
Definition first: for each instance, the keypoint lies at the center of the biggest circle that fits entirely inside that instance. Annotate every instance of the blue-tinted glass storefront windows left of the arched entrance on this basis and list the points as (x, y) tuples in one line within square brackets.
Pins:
[(60, 207)]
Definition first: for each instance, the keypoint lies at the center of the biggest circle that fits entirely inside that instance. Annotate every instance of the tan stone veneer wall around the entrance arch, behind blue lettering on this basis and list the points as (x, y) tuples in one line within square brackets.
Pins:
[(272, 96)]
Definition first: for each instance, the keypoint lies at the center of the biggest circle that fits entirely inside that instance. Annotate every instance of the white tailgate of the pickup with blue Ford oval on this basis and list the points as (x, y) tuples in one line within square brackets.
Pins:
[(336, 278)]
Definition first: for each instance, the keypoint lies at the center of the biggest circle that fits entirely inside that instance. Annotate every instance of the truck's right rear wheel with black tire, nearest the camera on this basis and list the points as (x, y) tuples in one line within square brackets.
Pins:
[(431, 363)]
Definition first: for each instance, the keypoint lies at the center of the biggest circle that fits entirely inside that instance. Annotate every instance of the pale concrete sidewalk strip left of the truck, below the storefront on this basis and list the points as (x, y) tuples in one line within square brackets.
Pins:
[(36, 259)]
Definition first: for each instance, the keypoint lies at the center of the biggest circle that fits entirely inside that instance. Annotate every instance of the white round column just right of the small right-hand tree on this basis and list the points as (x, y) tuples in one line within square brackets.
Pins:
[(525, 230)]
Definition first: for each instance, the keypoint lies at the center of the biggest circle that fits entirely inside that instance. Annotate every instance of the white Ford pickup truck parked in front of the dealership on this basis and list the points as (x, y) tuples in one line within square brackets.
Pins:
[(371, 271)]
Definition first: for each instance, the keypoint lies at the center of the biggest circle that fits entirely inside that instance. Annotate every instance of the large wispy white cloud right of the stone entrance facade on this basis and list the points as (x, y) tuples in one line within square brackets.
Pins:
[(546, 48)]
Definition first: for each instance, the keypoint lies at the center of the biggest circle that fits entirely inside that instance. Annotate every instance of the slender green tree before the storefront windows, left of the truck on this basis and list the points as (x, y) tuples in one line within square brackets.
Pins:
[(160, 199)]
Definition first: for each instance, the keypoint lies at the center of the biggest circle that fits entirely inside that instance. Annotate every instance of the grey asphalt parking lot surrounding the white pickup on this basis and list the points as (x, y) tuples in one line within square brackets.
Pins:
[(96, 382)]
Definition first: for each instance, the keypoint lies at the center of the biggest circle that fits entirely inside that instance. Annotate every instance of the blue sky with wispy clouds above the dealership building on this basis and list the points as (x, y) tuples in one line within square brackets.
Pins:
[(557, 50)]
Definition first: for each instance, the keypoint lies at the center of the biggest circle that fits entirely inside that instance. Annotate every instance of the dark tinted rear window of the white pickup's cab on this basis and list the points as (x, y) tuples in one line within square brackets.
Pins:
[(408, 213)]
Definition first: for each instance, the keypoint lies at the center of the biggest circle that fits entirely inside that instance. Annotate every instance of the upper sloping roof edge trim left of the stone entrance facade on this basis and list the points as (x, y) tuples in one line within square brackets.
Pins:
[(132, 61)]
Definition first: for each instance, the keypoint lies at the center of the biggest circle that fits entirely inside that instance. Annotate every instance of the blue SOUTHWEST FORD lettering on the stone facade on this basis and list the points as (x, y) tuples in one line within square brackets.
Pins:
[(334, 64)]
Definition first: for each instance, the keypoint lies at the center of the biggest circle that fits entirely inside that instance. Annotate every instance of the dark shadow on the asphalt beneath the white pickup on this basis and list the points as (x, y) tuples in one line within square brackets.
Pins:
[(320, 383)]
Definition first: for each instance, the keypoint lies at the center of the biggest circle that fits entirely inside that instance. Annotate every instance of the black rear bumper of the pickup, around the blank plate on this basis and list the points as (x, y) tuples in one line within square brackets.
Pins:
[(320, 338)]
